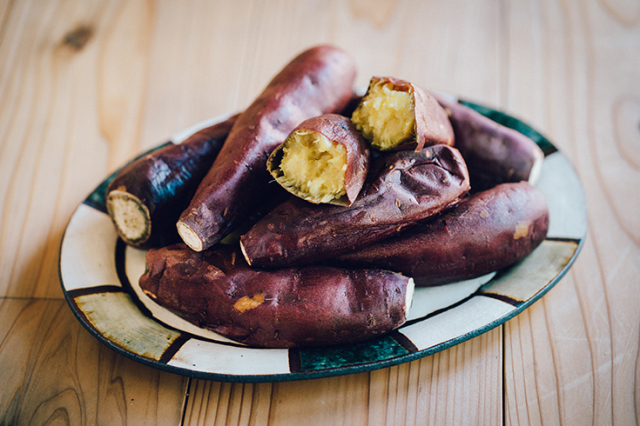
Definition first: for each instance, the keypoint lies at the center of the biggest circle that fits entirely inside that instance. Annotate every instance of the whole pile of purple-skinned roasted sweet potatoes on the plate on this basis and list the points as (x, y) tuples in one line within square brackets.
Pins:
[(380, 193)]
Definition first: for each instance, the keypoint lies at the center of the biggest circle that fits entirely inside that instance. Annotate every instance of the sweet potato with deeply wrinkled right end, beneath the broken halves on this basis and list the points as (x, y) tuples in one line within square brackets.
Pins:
[(406, 187)]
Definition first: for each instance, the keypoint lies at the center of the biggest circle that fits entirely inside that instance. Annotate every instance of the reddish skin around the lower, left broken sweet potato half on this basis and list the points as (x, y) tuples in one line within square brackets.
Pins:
[(338, 129)]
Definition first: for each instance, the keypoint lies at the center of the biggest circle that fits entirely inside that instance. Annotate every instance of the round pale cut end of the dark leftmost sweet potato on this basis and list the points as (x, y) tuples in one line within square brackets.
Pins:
[(130, 216)]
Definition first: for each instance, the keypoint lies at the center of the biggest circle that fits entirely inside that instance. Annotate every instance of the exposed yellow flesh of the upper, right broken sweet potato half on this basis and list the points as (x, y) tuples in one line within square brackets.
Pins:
[(385, 116)]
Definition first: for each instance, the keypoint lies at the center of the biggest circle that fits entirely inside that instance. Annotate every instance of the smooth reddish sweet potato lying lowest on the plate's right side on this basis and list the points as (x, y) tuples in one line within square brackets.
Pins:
[(486, 232)]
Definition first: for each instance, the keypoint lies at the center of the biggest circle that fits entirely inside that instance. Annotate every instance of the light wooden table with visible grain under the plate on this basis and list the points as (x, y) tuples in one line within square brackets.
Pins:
[(84, 86)]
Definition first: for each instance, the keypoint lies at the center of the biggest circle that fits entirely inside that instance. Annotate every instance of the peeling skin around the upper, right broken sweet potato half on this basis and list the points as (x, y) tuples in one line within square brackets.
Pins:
[(432, 124)]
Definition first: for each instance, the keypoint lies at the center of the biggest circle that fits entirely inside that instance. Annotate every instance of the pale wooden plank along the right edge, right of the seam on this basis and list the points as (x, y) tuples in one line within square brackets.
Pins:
[(573, 357)]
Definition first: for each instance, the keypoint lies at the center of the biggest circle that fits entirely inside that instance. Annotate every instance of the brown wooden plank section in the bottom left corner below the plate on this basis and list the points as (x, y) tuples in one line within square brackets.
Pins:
[(55, 372)]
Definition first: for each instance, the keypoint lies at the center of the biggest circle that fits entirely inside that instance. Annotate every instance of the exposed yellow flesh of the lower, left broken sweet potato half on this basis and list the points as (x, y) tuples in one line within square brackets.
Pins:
[(314, 165)]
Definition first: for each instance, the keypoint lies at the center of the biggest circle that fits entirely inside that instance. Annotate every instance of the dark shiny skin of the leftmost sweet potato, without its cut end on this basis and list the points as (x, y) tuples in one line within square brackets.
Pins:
[(164, 194)]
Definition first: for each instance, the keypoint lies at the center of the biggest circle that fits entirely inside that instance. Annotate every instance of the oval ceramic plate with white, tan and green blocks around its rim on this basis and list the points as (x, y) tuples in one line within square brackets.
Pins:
[(99, 276)]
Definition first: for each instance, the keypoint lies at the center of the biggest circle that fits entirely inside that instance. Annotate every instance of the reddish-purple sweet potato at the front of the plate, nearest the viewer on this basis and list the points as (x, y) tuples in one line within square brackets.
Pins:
[(308, 306)]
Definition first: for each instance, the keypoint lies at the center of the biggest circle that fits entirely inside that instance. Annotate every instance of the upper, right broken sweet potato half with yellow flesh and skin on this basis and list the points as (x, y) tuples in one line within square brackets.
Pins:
[(395, 114)]
